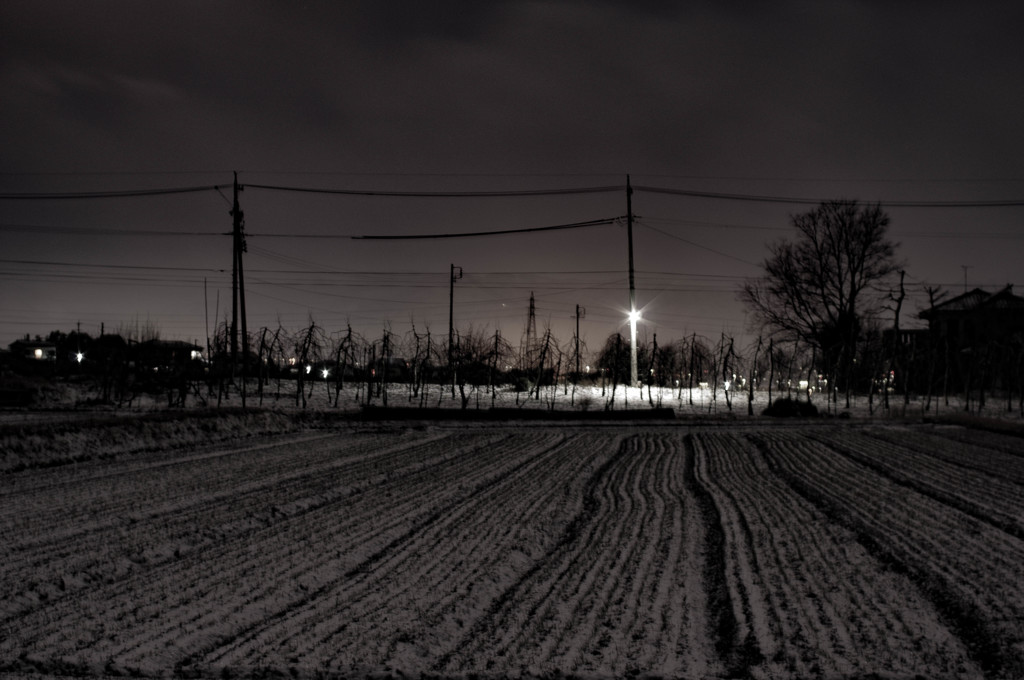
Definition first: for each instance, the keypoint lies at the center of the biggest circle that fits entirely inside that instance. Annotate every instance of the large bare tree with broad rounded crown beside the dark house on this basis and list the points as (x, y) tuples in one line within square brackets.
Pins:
[(818, 288)]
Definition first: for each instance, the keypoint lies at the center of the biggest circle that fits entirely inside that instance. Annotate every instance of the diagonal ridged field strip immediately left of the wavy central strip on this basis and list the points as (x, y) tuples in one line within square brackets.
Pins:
[(358, 618)]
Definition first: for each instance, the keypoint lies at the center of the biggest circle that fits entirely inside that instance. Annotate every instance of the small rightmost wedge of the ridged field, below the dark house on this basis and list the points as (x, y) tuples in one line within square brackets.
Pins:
[(993, 457)]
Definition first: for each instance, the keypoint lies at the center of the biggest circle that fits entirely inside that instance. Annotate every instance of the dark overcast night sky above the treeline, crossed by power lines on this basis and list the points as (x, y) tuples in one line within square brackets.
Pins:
[(890, 102)]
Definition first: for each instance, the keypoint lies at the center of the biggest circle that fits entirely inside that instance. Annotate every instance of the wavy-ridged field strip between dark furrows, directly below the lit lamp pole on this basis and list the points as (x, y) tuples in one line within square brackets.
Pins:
[(572, 612)]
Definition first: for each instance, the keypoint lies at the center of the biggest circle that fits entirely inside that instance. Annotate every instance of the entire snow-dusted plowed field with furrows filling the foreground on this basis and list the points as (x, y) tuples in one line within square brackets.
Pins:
[(743, 548)]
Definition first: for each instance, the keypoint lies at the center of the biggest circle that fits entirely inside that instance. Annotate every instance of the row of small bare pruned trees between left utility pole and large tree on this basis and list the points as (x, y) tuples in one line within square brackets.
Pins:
[(701, 372)]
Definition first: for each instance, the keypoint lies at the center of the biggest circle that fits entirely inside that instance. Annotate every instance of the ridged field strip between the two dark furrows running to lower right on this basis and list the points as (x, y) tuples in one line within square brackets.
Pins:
[(970, 571)]
